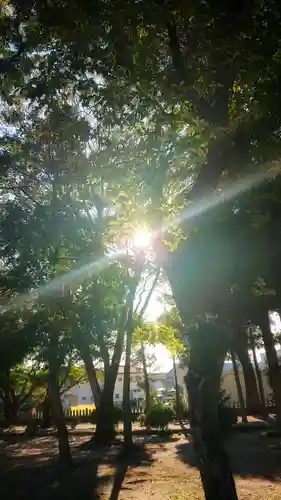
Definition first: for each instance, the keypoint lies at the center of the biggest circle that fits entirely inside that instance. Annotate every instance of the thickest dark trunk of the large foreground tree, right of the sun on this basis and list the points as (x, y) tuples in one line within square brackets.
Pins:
[(208, 346)]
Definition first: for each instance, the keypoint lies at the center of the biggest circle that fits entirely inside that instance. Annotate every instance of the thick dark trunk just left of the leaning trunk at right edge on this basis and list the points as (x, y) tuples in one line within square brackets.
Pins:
[(240, 344)]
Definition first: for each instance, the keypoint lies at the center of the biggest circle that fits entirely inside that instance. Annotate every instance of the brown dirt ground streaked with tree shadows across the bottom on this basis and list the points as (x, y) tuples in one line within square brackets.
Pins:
[(162, 469)]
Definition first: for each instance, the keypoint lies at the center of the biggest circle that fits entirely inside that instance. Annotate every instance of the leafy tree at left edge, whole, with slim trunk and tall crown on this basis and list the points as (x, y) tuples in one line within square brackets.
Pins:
[(41, 198)]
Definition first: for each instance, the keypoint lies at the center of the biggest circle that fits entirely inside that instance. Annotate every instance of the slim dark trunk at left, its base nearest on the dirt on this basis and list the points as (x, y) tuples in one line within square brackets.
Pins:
[(64, 459)]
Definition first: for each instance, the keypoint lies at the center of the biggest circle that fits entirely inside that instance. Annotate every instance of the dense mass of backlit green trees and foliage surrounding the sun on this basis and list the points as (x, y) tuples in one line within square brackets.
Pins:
[(118, 115)]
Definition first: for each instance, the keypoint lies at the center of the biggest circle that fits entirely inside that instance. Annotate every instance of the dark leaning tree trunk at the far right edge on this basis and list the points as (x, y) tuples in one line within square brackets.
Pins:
[(274, 368)]
